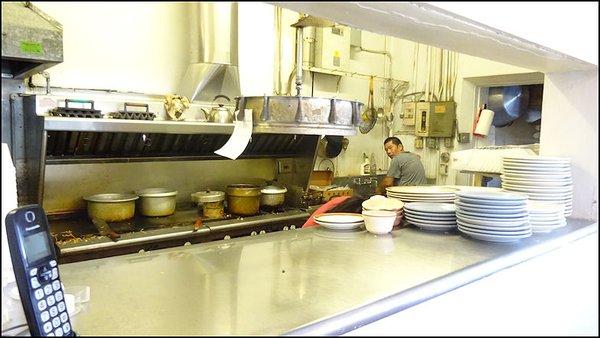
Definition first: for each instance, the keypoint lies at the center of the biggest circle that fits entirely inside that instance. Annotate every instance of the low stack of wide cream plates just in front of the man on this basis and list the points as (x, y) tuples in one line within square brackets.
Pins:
[(423, 193)]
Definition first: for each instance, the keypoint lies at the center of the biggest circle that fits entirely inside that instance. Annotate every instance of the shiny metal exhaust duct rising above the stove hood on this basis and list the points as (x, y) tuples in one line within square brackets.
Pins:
[(213, 68)]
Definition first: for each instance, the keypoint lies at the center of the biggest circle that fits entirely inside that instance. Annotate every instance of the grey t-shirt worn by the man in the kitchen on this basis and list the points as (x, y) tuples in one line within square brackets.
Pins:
[(406, 169)]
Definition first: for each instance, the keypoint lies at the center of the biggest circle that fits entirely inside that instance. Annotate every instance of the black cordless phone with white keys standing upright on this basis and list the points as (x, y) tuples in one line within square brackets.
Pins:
[(36, 272)]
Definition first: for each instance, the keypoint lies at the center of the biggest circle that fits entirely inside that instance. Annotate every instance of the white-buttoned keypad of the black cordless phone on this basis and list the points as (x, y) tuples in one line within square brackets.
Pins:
[(51, 307)]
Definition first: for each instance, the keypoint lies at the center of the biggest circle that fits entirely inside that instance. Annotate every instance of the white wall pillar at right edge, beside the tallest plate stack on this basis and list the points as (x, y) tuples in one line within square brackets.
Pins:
[(570, 128)]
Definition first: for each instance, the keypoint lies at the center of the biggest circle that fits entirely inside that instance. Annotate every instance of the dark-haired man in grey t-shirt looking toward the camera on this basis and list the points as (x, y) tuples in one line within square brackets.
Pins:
[(405, 168)]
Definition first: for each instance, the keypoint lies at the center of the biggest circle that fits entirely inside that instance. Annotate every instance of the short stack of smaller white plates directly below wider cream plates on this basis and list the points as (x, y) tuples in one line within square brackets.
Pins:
[(431, 216)]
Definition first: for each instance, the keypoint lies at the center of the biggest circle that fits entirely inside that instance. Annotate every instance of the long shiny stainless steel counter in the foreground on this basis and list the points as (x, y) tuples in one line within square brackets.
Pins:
[(303, 281)]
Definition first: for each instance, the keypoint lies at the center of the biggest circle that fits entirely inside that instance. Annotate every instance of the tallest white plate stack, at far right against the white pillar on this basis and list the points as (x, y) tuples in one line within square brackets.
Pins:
[(543, 178)]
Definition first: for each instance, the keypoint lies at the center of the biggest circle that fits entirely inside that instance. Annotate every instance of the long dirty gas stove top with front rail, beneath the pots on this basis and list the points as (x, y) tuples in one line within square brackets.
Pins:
[(78, 239)]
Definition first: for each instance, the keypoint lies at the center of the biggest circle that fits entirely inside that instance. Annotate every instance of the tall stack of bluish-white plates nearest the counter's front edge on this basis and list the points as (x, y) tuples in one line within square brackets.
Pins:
[(493, 216)]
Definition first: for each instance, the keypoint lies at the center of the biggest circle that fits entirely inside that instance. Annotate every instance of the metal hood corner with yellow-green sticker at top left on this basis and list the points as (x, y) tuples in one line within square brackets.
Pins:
[(31, 40)]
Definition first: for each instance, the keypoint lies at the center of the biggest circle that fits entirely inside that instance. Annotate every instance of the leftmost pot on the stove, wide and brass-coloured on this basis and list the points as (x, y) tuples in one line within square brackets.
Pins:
[(111, 207)]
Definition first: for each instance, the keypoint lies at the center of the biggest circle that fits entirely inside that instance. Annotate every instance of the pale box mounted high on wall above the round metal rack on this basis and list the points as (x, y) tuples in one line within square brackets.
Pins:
[(332, 47)]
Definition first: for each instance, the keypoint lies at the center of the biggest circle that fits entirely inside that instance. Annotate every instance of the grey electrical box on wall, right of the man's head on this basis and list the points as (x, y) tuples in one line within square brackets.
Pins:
[(435, 119)]
